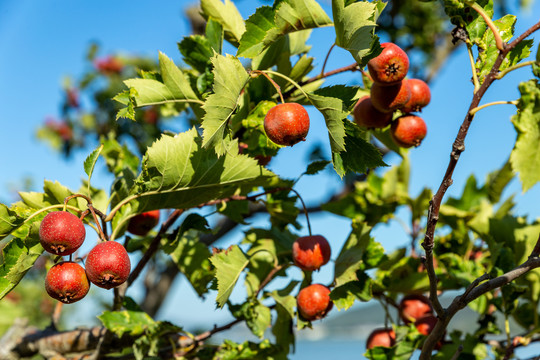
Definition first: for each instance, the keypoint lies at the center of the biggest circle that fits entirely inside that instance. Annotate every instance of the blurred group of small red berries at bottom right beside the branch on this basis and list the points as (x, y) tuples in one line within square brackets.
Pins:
[(413, 308)]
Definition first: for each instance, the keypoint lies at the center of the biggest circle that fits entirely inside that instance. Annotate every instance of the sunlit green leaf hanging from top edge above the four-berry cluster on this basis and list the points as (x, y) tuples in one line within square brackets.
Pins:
[(355, 27)]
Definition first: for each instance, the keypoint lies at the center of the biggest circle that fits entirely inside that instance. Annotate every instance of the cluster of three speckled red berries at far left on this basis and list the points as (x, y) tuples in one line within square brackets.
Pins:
[(107, 264)]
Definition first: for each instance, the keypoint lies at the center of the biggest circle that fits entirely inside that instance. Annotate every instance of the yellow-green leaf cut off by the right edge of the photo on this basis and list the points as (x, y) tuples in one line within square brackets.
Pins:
[(525, 157)]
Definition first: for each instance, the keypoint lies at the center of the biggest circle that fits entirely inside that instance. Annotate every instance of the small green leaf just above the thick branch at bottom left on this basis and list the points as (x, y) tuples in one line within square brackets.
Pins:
[(126, 322)]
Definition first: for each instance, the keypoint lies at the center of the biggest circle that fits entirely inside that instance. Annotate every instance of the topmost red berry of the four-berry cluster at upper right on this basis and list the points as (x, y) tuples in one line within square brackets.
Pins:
[(390, 66)]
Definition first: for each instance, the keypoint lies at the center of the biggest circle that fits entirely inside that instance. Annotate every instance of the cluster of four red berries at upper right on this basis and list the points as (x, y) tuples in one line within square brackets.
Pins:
[(391, 91)]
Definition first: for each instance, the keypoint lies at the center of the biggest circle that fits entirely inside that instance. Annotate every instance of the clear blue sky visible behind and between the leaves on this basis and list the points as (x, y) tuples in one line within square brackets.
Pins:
[(42, 42)]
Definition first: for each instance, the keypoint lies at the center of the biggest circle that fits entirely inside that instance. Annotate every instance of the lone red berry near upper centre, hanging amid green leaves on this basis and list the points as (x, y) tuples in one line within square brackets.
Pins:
[(286, 124)]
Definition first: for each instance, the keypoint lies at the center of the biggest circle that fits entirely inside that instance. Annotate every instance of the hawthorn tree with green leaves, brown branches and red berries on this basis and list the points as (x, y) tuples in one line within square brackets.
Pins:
[(473, 244)]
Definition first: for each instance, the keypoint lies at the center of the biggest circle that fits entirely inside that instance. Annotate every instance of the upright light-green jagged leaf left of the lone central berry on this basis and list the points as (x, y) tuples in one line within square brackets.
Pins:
[(230, 77)]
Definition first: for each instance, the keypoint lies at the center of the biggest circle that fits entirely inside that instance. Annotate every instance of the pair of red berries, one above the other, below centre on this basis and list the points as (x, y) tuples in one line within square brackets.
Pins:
[(309, 254)]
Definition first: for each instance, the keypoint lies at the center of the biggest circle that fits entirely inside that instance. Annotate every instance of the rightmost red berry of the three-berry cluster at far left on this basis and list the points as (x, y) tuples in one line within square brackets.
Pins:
[(108, 264)]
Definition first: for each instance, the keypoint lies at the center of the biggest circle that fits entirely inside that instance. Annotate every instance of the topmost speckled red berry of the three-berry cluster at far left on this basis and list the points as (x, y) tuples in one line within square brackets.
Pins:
[(61, 233)]
